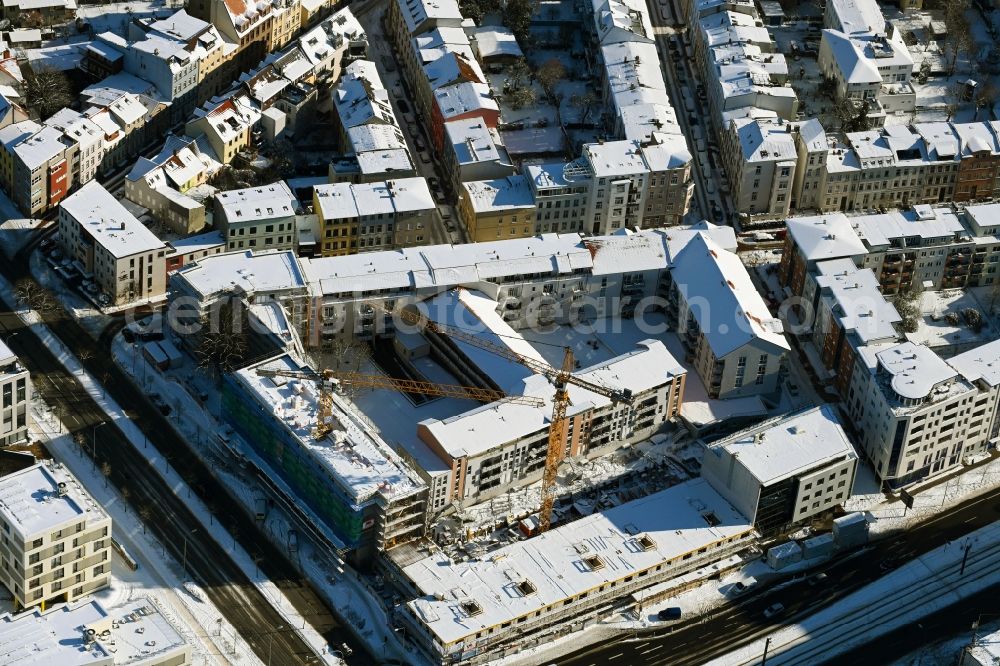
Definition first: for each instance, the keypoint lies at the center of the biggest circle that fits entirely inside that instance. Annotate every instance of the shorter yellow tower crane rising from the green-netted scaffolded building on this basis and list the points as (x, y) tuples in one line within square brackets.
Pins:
[(326, 379)]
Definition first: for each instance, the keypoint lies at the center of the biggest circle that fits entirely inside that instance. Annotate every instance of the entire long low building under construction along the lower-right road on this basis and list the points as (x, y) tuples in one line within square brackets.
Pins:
[(568, 576)]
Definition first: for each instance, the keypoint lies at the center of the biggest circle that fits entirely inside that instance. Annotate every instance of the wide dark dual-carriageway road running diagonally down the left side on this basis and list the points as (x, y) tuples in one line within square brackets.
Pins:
[(243, 605)]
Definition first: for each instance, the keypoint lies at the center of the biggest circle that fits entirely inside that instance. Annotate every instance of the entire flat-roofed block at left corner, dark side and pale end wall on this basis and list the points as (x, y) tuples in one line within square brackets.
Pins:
[(118, 253)]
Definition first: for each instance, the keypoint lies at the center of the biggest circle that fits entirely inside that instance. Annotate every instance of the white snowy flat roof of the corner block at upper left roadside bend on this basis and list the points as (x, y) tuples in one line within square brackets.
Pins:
[(102, 217)]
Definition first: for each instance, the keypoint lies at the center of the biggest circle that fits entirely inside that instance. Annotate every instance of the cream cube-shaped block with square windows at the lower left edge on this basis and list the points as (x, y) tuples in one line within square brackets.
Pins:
[(55, 543)]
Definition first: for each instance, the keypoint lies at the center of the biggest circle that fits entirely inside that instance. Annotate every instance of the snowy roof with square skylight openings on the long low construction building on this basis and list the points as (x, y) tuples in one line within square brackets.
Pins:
[(679, 520)]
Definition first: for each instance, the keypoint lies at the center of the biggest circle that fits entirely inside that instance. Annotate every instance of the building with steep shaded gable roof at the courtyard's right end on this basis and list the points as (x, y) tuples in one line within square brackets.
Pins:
[(727, 331)]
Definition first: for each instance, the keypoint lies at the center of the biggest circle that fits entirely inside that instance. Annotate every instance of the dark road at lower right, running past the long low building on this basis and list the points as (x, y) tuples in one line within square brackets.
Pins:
[(699, 640)]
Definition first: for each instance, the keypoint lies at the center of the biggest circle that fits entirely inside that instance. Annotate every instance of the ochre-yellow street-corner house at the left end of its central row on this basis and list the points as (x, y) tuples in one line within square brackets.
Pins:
[(500, 208)]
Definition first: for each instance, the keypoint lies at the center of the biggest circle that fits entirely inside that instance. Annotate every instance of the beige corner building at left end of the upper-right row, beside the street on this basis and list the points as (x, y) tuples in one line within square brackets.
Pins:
[(760, 158)]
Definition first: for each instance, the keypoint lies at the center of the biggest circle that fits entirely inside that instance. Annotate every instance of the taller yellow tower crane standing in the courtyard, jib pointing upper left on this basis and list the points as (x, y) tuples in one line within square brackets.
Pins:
[(560, 377)]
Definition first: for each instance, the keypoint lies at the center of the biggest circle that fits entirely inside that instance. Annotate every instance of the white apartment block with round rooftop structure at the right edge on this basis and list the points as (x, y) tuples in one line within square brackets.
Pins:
[(913, 410)]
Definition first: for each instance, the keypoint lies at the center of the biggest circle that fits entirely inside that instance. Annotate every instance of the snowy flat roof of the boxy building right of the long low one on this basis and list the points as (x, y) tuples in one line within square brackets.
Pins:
[(782, 448)]
